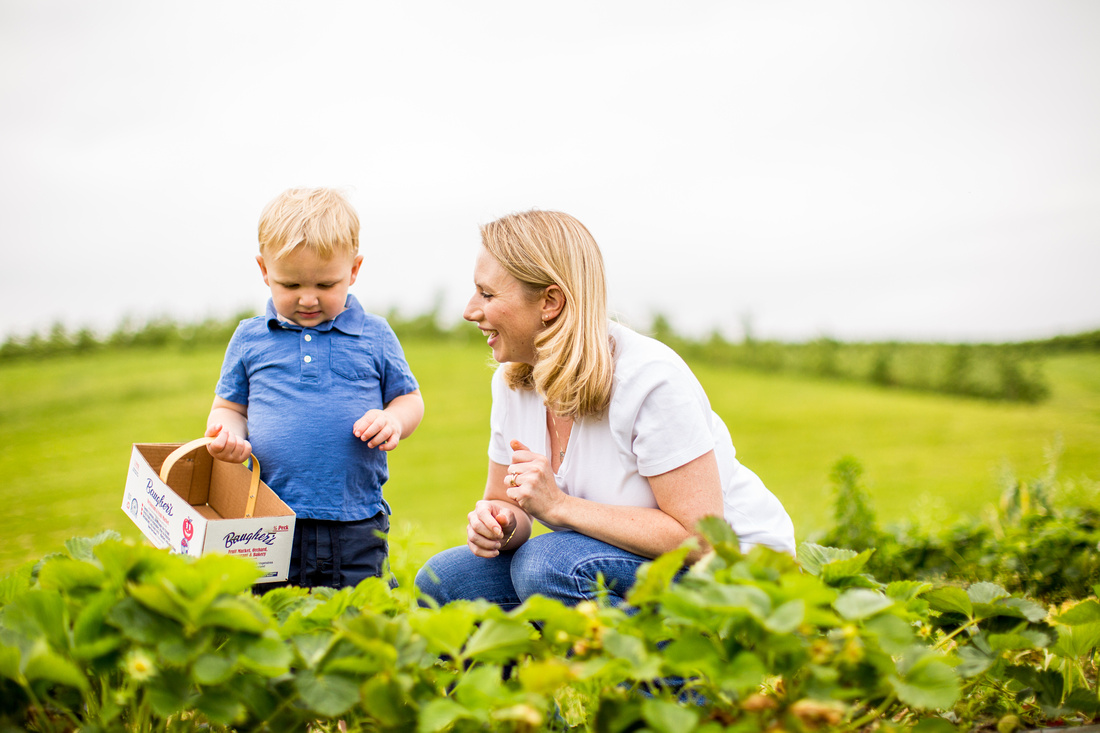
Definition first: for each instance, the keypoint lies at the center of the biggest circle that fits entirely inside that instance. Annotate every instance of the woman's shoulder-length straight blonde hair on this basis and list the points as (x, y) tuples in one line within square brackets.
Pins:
[(574, 356)]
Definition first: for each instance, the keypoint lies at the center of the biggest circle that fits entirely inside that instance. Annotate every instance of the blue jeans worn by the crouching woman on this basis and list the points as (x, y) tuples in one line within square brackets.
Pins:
[(560, 565)]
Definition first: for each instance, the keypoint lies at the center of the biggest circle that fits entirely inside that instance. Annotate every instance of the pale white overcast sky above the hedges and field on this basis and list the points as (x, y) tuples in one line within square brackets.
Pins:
[(911, 170)]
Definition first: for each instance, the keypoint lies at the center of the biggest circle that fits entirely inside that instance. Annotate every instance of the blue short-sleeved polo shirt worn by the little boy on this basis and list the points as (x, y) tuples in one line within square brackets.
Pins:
[(305, 388)]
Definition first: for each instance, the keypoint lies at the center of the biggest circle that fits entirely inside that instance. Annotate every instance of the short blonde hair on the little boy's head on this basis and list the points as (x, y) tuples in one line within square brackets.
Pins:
[(321, 220)]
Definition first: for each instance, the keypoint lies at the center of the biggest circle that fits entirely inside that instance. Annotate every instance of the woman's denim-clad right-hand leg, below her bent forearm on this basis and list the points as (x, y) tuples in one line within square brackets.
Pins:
[(569, 567)]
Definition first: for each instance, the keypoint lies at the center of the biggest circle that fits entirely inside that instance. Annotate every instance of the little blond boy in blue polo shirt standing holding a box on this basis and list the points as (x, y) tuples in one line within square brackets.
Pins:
[(318, 390)]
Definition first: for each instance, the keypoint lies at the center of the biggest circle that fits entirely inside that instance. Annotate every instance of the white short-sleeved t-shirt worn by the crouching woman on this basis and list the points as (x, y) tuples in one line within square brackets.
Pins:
[(659, 420)]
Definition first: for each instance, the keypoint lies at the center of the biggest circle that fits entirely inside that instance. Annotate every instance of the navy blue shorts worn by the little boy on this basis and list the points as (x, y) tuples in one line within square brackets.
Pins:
[(337, 554)]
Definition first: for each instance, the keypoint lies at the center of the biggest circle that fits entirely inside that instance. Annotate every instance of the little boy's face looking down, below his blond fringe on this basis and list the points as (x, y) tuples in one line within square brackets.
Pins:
[(309, 290)]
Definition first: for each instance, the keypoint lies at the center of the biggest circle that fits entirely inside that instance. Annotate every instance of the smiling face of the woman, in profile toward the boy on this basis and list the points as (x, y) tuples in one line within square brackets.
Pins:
[(504, 312)]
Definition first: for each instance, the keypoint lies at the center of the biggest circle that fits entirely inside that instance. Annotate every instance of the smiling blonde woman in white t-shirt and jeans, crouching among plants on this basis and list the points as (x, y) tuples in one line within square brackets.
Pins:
[(601, 434)]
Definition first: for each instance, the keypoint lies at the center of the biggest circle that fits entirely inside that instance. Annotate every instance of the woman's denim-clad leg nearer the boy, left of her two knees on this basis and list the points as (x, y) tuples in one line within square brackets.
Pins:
[(459, 575)]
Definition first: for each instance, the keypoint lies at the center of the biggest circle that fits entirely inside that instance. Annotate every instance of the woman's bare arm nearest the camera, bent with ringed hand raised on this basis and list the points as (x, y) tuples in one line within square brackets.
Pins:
[(685, 496)]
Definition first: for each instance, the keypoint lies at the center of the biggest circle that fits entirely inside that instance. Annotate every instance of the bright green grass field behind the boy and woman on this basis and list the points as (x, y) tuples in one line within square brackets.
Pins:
[(68, 424)]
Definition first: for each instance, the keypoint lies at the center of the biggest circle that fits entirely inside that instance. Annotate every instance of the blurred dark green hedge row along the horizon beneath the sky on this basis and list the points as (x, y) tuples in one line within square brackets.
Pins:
[(992, 371)]
